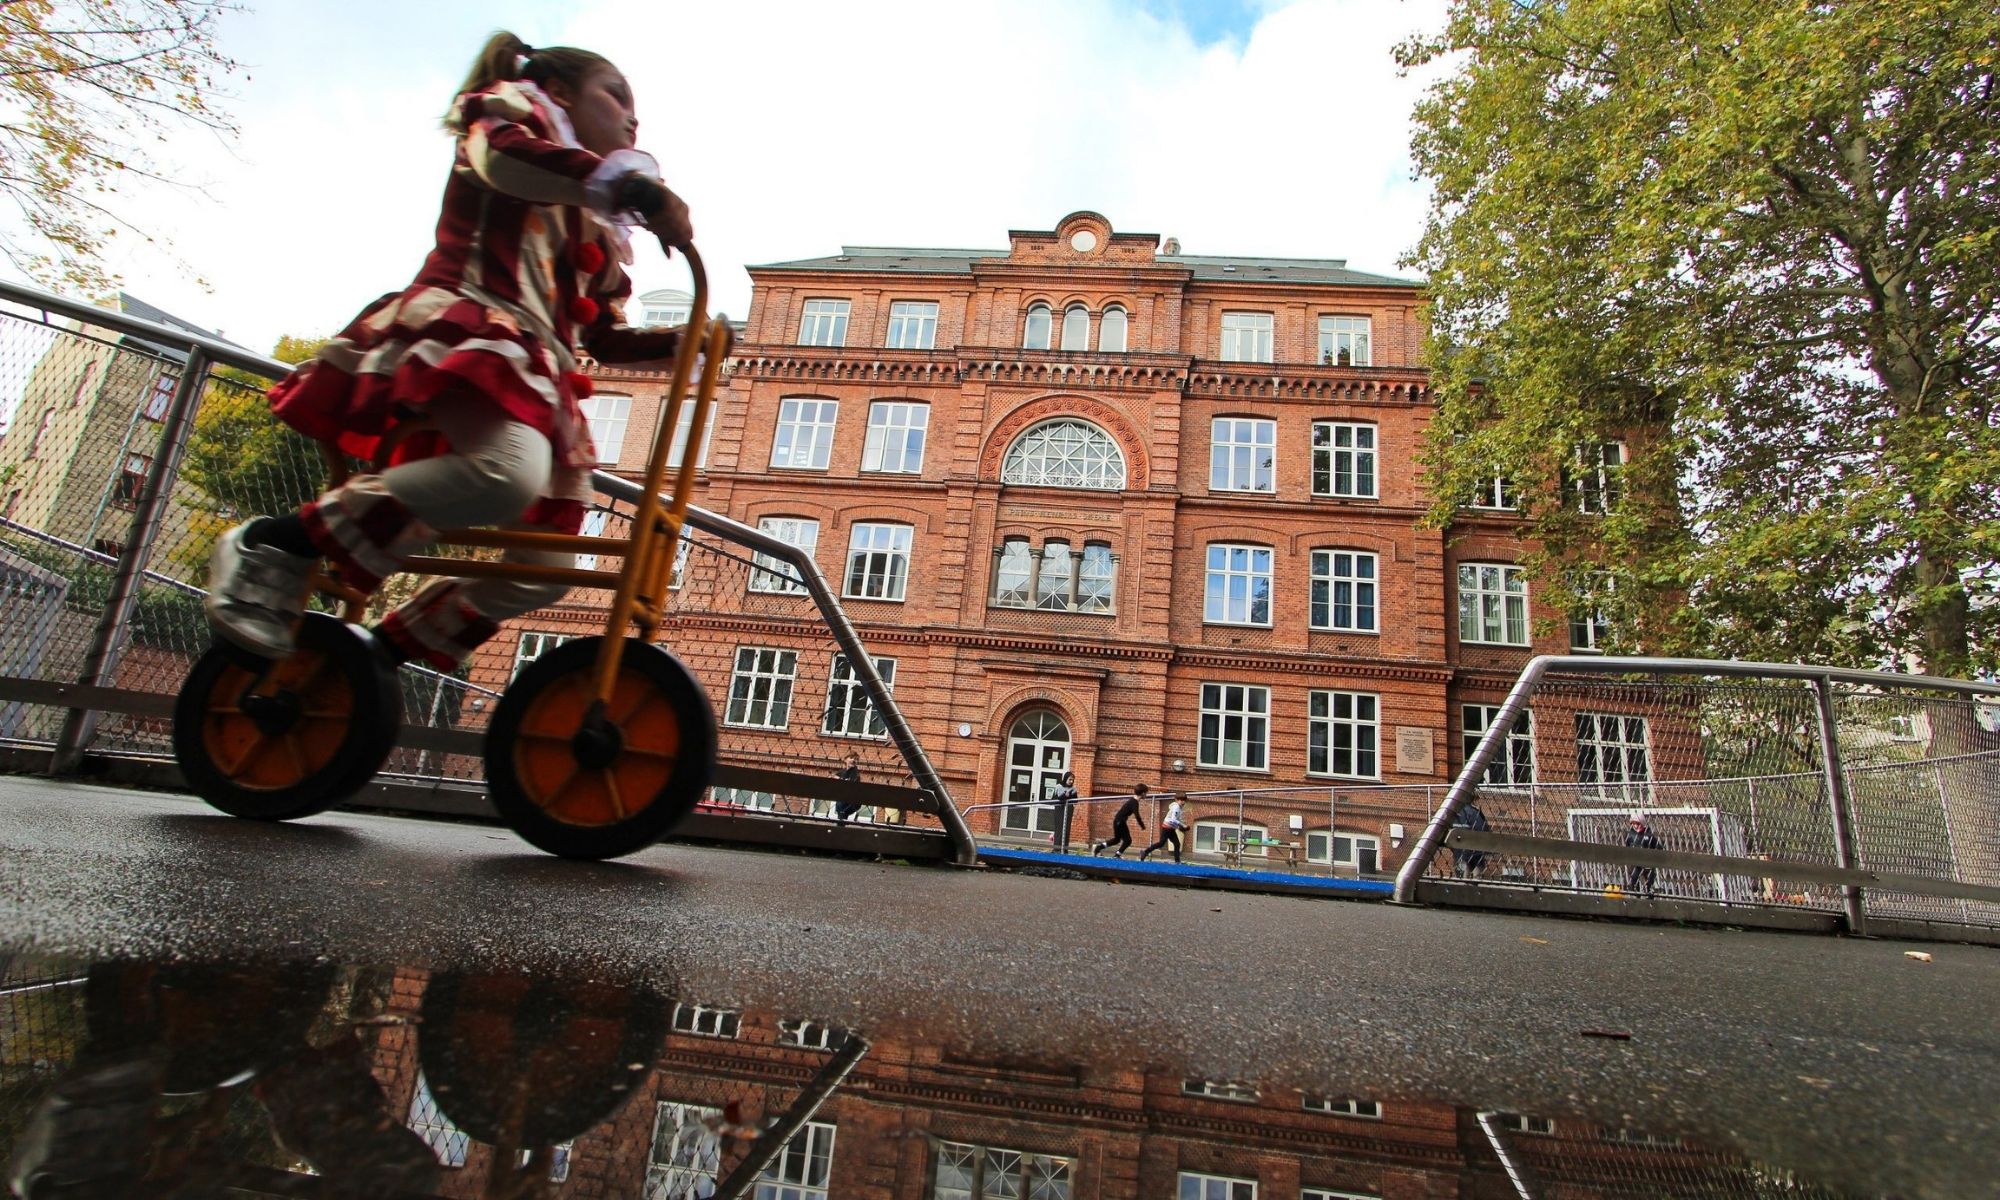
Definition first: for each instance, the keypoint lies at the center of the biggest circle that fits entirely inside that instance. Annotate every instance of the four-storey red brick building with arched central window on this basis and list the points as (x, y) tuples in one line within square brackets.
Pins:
[(1113, 509)]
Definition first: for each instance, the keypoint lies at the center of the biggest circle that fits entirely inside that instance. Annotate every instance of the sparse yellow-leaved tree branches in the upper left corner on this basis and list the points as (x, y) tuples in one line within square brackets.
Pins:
[(89, 89)]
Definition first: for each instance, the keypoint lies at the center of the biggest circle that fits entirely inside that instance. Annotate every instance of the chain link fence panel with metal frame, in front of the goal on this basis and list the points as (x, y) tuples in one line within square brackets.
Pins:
[(1843, 771)]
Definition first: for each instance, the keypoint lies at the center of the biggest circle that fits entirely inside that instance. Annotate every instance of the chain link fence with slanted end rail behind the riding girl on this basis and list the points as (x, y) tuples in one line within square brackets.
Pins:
[(93, 413)]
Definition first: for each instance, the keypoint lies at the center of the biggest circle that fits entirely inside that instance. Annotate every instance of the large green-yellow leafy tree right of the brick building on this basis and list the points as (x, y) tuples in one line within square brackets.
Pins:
[(1759, 243)]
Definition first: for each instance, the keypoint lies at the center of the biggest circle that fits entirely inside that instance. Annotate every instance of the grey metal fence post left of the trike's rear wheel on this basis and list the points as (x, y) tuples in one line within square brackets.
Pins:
[(115, 625)]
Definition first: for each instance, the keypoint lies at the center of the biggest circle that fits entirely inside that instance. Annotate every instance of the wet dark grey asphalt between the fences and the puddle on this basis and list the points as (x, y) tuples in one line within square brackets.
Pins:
[(1845, 1059)]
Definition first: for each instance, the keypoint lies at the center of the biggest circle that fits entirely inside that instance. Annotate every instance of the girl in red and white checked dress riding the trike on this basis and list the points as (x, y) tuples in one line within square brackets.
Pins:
[(527, 271)]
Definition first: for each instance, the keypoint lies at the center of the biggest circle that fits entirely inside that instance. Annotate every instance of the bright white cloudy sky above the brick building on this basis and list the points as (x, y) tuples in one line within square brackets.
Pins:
[(795, 127)]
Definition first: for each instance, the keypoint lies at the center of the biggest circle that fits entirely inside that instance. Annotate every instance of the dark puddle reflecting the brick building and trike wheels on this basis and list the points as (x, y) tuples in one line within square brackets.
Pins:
[(383, 1083)]
